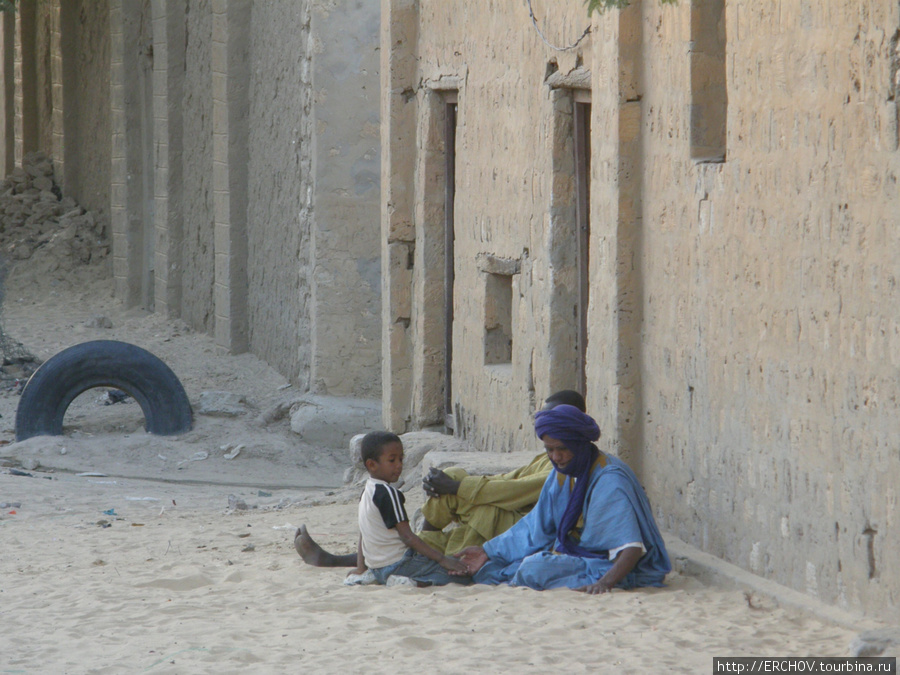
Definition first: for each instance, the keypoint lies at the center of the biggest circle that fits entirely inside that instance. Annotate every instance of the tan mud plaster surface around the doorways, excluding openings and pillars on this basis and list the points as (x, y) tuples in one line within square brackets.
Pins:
[(769, 337)]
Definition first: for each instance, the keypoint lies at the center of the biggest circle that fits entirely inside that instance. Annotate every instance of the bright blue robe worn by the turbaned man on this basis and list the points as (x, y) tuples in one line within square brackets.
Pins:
[(616, 512)]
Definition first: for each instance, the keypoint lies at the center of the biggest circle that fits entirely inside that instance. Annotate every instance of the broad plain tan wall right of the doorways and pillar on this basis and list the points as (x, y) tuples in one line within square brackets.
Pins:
[(770, 310)]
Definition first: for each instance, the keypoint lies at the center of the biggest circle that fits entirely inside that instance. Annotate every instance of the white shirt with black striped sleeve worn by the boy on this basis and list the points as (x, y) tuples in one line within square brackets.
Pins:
[(380, 509)]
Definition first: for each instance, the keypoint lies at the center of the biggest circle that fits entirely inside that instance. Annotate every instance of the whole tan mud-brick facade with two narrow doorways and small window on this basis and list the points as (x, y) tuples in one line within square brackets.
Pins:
[(689, 212)]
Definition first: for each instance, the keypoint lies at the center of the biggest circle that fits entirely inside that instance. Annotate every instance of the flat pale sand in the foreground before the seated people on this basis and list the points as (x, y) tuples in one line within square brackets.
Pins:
[(177, 584)]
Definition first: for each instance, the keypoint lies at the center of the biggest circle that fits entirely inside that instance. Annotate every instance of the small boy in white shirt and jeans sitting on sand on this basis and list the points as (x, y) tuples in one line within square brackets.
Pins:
[(387, 544)]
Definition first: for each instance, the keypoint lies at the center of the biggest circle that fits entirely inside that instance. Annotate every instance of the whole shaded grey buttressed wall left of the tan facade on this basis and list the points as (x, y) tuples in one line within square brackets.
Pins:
[(231, 148)]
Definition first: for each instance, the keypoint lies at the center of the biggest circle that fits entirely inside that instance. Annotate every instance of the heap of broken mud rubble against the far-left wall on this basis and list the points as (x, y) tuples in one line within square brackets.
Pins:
[(34, 215)]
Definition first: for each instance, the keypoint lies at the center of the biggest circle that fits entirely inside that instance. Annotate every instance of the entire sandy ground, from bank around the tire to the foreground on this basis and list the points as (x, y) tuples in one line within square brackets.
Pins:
[(151, 568)]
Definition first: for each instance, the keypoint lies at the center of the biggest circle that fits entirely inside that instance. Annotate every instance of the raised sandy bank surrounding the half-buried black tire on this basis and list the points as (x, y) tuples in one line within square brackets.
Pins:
[(46, 318)]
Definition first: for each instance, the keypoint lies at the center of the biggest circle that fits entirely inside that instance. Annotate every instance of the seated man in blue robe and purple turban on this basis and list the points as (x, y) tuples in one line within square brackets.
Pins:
[(592, 528)]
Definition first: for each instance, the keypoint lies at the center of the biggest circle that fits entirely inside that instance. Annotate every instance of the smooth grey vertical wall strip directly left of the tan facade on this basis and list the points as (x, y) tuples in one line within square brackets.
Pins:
[(346, 316)]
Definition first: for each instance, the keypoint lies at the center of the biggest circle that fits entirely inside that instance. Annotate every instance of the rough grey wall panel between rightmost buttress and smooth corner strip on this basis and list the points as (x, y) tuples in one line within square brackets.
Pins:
[(280, 190)]
